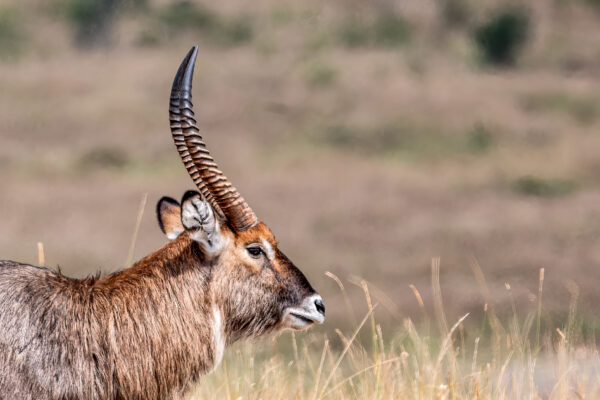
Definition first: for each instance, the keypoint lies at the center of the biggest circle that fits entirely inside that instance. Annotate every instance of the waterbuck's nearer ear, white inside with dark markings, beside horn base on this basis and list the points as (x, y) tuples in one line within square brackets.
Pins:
[(199, 220)]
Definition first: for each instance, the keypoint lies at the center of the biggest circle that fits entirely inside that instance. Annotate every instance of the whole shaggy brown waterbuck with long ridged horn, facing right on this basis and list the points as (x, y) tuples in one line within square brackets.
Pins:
[(151, 330)]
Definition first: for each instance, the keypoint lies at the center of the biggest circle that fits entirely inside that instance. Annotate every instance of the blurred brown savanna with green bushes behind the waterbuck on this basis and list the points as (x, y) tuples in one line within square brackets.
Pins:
[(370, 136)]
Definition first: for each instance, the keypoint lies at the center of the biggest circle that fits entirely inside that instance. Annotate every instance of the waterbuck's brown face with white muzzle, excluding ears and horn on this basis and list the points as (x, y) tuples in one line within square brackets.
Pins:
[(265, 291)]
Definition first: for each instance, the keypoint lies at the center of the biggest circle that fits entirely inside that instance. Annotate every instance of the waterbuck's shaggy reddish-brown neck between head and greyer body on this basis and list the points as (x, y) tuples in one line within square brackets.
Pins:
[(164, 318)]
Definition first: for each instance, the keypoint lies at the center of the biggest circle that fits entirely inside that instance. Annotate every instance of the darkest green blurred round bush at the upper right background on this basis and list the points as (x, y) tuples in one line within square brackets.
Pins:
[(501, 37)]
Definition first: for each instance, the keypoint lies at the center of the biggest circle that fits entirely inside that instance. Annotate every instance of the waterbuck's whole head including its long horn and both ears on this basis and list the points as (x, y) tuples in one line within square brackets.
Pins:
[(254, 287)]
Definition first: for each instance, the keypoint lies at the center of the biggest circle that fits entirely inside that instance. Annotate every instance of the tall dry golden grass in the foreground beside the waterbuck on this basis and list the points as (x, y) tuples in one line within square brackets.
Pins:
[(492, 359)]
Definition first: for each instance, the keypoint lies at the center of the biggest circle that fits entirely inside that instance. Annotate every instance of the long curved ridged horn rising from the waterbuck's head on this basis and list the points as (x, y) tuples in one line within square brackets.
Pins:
[(205, 173)]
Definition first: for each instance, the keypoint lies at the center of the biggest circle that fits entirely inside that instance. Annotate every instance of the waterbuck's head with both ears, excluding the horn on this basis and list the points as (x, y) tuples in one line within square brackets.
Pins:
[(258, 288)]
